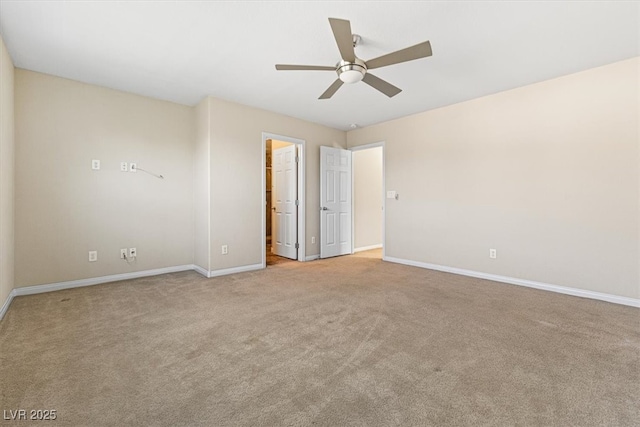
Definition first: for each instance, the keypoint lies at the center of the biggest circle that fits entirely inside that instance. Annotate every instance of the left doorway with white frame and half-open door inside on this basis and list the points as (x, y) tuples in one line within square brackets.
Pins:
[(283, 196)]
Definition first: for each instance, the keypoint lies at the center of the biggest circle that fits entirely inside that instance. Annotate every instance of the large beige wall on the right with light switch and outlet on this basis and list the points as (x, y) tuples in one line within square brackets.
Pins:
[(547, 174)]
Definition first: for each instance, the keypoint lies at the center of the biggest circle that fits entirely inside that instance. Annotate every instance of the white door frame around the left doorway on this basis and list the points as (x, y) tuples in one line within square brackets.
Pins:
[(300, 144)]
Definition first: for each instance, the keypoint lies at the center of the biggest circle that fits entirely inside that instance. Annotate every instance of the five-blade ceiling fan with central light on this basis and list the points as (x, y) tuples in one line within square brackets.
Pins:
[(352, 69)]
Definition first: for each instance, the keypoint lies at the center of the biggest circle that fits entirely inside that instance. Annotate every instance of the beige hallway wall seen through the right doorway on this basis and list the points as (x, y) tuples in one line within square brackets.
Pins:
[(367, 197)]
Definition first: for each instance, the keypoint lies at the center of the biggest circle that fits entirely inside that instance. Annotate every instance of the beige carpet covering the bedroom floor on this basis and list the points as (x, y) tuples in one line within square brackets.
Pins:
[(350, 341)]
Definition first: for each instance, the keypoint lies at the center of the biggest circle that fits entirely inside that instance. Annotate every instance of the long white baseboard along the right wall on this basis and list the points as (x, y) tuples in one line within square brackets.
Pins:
[(616, 299)]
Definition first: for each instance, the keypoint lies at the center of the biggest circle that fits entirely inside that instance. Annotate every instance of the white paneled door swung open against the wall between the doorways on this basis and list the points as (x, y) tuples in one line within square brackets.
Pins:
[(335, 202)]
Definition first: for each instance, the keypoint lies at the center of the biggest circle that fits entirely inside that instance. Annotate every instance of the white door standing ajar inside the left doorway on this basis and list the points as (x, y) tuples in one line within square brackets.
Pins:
[(285, 212)]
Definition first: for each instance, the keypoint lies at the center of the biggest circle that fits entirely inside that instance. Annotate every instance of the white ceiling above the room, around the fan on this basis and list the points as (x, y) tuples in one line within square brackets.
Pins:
[(183, 51)]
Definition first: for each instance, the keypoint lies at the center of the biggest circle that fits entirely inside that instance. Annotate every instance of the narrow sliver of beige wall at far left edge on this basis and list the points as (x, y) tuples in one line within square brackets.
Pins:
[(6, 174)]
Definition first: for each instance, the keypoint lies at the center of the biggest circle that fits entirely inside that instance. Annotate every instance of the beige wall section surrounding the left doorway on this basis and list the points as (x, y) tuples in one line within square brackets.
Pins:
[(236, 178)]
